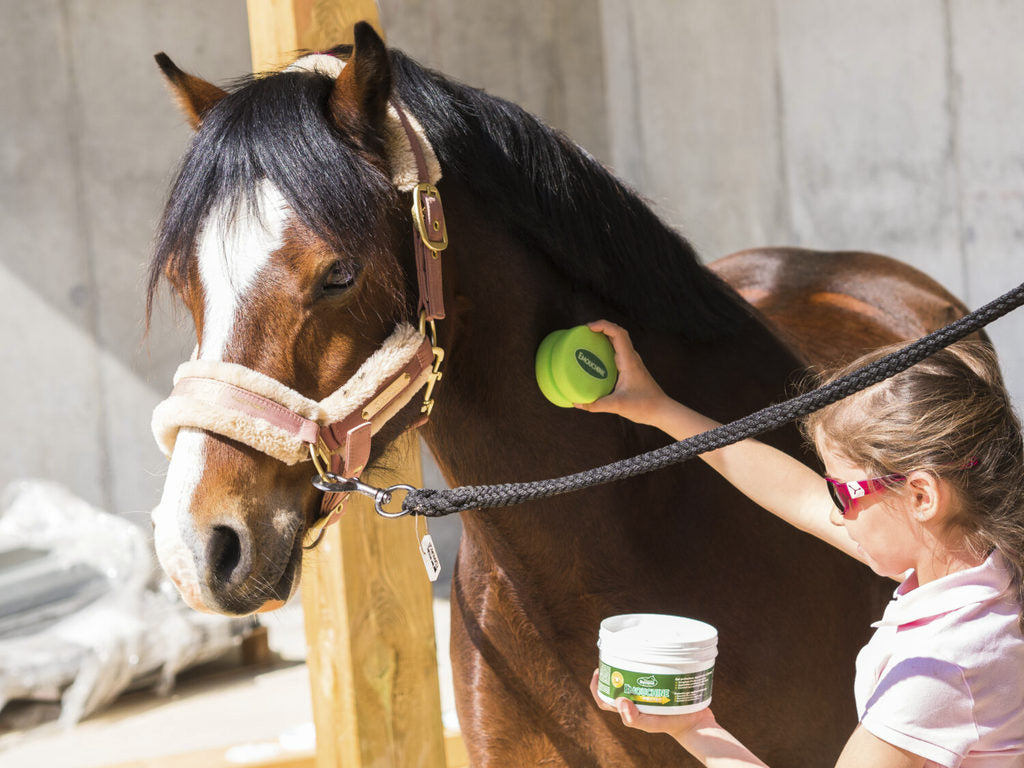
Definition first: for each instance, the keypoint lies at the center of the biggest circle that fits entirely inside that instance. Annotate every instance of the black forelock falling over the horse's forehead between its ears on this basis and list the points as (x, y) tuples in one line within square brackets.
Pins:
[(272, 130)]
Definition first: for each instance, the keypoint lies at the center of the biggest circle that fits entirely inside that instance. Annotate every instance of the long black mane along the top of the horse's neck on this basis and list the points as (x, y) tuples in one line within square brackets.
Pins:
[(564, 203)]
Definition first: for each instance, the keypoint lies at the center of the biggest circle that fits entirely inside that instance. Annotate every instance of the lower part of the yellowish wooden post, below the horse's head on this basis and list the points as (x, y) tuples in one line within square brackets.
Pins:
[(374, 665)]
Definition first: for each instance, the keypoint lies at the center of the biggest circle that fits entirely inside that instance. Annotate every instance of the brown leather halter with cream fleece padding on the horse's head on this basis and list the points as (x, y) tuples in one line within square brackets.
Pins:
[(257, 410)]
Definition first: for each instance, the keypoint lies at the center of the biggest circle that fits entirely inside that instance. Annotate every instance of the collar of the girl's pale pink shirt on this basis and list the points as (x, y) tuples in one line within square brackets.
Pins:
[(959, 590)]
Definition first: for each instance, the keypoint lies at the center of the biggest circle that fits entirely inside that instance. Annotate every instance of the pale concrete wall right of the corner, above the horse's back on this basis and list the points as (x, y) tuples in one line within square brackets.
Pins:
[(880, 126)]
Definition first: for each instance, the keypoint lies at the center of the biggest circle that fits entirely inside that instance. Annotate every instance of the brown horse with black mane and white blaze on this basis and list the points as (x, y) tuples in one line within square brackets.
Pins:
[(288, 240)]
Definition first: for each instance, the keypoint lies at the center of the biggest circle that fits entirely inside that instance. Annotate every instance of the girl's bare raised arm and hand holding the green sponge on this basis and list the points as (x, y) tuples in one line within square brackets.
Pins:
[(776, 481)]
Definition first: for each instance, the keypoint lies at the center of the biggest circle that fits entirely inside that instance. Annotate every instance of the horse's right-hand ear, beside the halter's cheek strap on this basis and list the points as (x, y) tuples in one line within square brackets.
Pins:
[(365, 84)]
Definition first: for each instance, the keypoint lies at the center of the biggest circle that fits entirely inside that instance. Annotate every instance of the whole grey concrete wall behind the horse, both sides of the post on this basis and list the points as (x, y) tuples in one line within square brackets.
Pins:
[(882, 126)]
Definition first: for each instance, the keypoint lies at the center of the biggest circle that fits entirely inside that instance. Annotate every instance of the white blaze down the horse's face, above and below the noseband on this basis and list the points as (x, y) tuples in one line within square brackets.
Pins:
[(232, 253)]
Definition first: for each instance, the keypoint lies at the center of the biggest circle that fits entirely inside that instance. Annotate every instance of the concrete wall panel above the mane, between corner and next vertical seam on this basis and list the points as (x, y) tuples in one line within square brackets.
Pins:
[(694, 122)]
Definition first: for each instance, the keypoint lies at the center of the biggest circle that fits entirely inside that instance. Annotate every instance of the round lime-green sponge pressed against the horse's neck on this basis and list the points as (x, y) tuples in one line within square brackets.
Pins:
[(576, 366)]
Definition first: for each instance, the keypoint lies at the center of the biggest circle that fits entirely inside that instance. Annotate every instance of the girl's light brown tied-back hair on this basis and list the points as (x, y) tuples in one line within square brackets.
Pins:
[(949, 415)]
